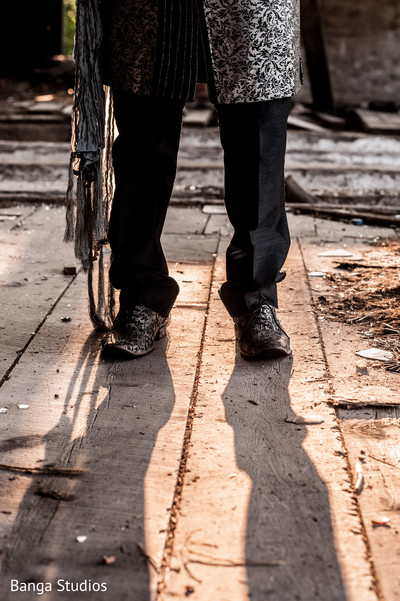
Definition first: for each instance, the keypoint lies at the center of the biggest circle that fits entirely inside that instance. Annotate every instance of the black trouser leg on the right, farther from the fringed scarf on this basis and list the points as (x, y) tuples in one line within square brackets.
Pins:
[(253, 137)]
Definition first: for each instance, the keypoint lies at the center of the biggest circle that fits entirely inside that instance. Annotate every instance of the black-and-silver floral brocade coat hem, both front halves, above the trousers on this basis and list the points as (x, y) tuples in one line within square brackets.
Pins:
[(253, 47)]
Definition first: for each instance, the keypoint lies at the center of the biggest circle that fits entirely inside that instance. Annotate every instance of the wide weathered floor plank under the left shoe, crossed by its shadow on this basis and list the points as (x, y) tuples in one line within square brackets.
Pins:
[(122, 422)]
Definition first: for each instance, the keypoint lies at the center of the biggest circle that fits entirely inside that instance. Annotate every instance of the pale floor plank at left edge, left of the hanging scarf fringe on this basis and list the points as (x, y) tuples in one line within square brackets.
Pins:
[(32, 261)]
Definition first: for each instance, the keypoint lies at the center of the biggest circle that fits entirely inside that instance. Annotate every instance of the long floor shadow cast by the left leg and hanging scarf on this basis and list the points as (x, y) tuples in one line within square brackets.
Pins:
[(124, 405)]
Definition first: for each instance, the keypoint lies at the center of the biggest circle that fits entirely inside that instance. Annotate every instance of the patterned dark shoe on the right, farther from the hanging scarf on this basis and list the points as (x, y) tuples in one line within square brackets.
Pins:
[(260, 335)]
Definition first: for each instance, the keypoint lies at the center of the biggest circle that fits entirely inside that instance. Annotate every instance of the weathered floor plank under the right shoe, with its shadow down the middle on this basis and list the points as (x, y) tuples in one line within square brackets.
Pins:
[(258, 489)]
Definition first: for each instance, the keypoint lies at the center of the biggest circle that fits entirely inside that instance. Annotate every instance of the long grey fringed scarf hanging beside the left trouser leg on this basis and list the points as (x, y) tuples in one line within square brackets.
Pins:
[(90, 187)]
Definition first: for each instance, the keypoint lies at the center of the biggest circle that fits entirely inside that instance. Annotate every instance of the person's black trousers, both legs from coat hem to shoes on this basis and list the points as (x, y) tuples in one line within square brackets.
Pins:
[(253, 137)]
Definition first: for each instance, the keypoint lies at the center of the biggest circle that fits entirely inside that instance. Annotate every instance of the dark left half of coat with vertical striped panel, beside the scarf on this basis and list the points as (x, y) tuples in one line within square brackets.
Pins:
[(150, 47)]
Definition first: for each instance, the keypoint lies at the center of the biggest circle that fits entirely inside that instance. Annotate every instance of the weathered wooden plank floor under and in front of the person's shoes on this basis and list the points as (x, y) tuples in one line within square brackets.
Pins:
[(181, 465)]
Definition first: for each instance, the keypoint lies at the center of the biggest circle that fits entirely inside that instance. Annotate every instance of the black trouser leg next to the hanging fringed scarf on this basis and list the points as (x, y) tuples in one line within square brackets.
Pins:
[(144, 155)]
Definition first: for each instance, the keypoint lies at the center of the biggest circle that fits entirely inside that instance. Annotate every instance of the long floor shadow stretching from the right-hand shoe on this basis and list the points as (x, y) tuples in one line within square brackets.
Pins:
[(288, 514)]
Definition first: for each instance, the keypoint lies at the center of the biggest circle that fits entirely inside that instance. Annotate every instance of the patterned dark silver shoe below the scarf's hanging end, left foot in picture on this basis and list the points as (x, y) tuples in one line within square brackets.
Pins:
[(134, 333)]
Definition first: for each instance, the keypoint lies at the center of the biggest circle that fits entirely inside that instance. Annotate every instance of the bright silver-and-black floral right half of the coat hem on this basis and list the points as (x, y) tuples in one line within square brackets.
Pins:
[(255, 48)]
